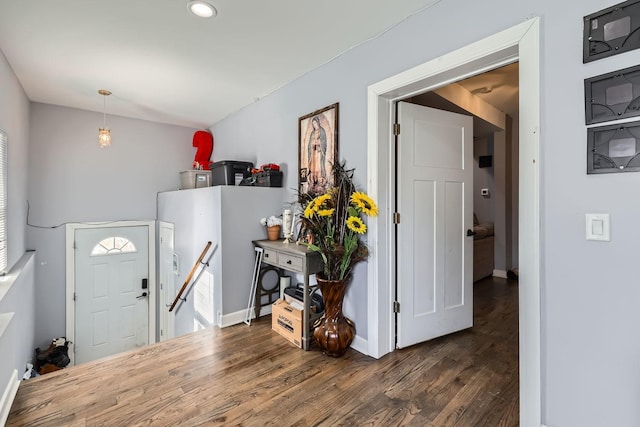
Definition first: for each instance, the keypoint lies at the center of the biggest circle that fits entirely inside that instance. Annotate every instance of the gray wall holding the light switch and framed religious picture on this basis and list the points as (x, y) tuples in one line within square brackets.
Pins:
[(589, 313)]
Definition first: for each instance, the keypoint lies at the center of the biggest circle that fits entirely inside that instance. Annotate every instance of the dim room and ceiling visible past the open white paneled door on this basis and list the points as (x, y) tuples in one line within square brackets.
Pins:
[(492, 99)]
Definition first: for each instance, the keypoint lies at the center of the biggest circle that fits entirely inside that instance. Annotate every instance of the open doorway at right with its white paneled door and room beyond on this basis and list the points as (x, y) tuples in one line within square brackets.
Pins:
[(456, 192)]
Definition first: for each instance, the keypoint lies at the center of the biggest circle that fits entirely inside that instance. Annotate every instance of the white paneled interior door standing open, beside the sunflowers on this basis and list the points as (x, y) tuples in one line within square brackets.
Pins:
[(435, 202)]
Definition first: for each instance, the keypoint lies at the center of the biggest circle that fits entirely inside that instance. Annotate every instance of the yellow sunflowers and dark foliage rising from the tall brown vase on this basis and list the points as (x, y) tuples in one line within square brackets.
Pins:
[(334, 220)]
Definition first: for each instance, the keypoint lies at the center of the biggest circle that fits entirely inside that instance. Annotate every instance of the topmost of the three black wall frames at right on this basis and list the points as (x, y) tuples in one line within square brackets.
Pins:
[(611, 31)]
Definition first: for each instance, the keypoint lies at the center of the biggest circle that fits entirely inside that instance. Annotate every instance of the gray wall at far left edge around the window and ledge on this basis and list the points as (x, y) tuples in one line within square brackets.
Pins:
[(17, 344)]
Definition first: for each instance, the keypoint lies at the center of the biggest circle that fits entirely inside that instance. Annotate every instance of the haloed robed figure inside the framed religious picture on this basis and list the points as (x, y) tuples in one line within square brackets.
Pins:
[(318, 163)]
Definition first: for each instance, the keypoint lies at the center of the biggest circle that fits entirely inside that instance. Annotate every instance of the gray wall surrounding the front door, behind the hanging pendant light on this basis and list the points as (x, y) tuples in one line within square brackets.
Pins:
[(73, 180)]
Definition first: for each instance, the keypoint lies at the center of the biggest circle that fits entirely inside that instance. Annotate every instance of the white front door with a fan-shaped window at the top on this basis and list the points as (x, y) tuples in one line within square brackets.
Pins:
[(111, 301)]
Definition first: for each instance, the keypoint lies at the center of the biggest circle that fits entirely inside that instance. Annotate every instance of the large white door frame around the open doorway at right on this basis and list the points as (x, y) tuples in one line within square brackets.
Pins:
[(520, 43)]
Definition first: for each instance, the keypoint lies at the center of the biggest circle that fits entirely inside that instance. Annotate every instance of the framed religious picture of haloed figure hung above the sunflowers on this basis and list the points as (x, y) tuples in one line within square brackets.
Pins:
[(317, 150)]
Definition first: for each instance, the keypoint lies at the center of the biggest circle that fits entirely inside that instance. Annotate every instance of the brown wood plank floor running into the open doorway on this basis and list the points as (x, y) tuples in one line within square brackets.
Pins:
[(252, 377)]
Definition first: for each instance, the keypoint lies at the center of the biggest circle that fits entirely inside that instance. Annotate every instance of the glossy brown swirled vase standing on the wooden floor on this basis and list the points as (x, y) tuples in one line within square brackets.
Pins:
[(334, 332)]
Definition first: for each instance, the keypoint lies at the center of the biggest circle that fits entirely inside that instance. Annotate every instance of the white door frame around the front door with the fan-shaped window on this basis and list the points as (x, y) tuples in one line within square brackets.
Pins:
[(71, 275)]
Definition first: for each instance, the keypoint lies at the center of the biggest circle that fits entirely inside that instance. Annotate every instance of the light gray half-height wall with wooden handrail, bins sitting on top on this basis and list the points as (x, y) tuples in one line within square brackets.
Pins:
[(229, 217)]
